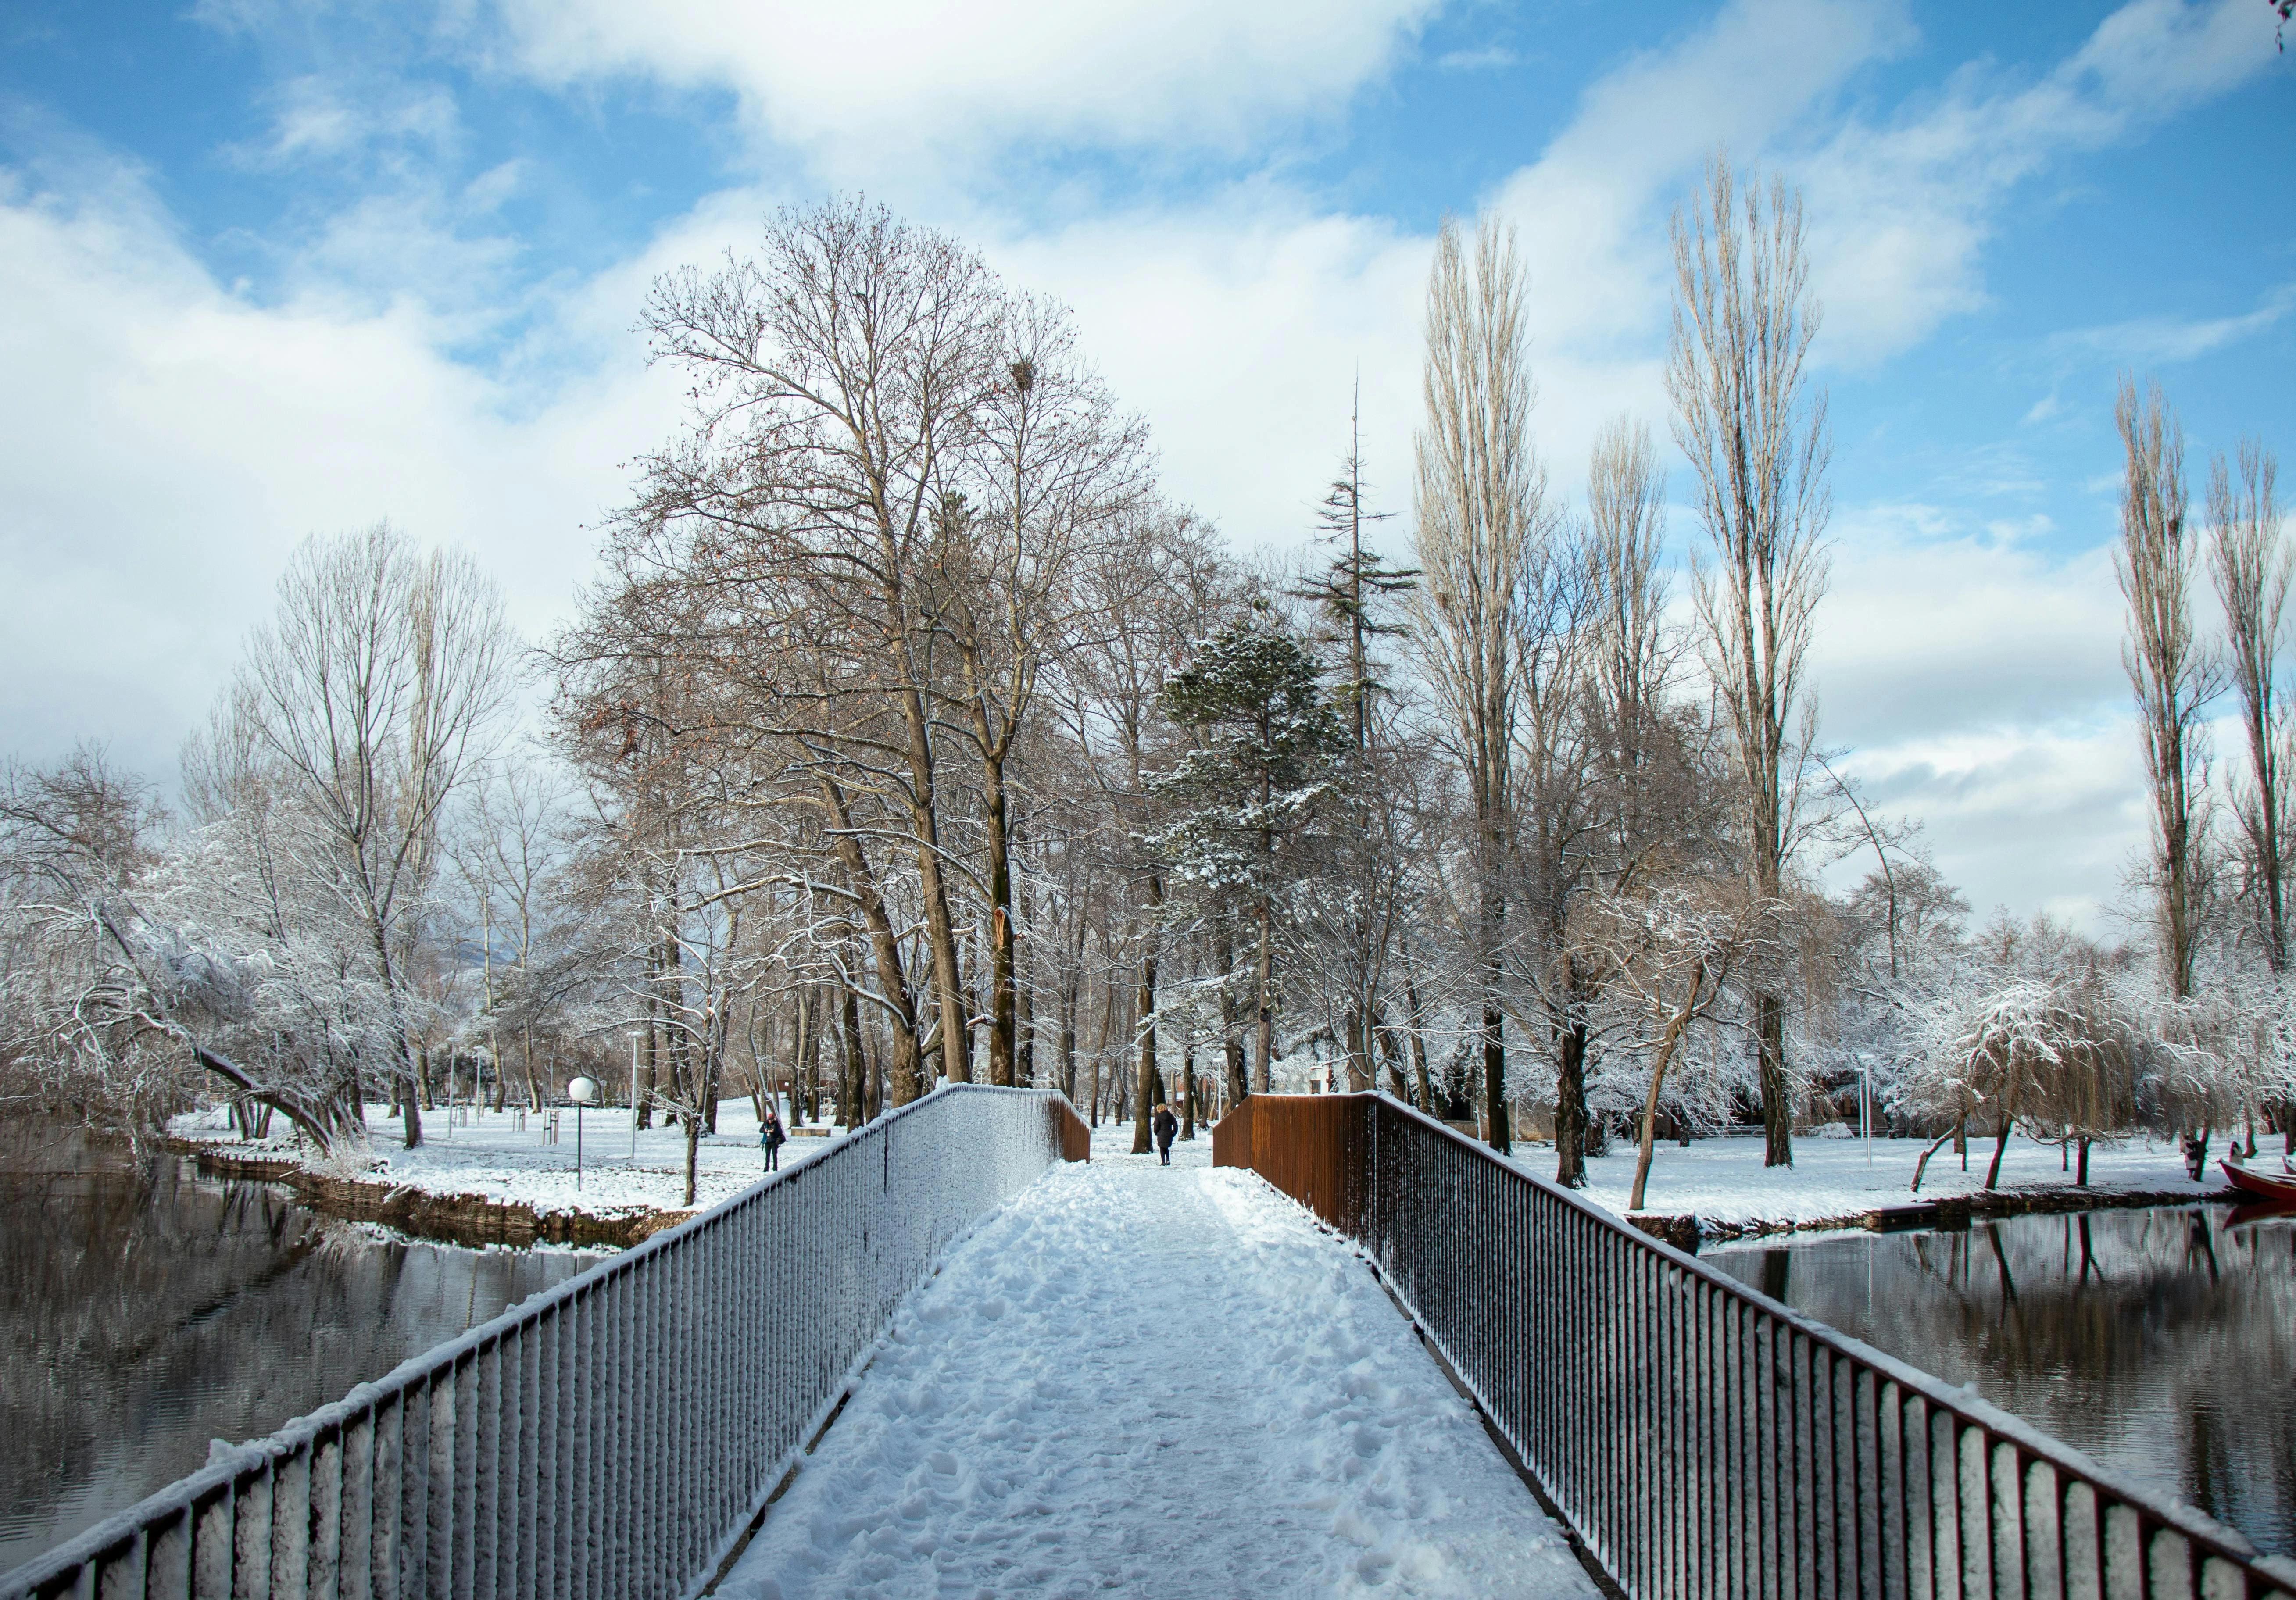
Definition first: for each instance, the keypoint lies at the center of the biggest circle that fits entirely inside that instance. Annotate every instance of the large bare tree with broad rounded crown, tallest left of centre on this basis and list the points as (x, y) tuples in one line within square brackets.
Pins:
[(839, 380)]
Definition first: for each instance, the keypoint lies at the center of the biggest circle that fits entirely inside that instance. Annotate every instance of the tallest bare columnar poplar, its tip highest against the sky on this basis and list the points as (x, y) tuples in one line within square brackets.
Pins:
[(1758, 442)]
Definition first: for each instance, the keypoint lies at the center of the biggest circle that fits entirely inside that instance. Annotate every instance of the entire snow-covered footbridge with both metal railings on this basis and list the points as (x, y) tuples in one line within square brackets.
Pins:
[(947, 1360)]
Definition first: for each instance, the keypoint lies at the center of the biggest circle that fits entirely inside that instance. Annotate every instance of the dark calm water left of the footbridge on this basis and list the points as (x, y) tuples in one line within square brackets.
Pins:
[(146, 1312)]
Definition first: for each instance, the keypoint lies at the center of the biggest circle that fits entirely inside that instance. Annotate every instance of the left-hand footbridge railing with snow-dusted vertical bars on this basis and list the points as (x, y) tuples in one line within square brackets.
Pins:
[(610, 1436)]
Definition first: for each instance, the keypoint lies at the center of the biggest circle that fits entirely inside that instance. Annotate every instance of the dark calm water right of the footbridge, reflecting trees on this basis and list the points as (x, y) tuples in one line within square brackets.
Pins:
[(2159, 1342)]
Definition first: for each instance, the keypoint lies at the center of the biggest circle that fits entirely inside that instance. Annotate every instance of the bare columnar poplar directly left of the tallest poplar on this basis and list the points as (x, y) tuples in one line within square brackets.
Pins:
[(1480, 525)]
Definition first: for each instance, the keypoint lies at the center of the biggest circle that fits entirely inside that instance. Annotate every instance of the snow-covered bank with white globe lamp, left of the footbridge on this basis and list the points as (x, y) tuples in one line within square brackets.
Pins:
[(492, 1156)]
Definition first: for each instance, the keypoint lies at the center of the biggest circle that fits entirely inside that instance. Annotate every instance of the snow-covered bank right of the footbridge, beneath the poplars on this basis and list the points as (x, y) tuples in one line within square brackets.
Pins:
[(1833, 1179)]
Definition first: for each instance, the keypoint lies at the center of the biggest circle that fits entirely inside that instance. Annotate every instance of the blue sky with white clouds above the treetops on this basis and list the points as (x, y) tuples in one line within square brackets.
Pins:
[(272, 267)]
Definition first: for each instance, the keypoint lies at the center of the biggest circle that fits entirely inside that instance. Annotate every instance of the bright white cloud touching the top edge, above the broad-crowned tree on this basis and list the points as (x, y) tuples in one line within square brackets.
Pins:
[(878, 84)]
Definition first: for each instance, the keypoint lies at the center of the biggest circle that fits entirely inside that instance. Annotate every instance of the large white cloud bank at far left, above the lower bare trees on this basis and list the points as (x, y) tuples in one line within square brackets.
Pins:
[(171, 446)]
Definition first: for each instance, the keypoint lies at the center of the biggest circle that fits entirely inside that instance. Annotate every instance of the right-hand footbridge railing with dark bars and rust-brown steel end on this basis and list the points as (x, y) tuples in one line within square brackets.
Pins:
[(1705, 1440)]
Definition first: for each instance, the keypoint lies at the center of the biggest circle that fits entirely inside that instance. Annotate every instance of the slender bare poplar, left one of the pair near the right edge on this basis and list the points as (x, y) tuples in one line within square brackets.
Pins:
[(2169, 669)]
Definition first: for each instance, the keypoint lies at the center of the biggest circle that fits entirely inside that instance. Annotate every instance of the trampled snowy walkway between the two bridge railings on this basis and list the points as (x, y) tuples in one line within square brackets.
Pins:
[(1161, 1383)]
